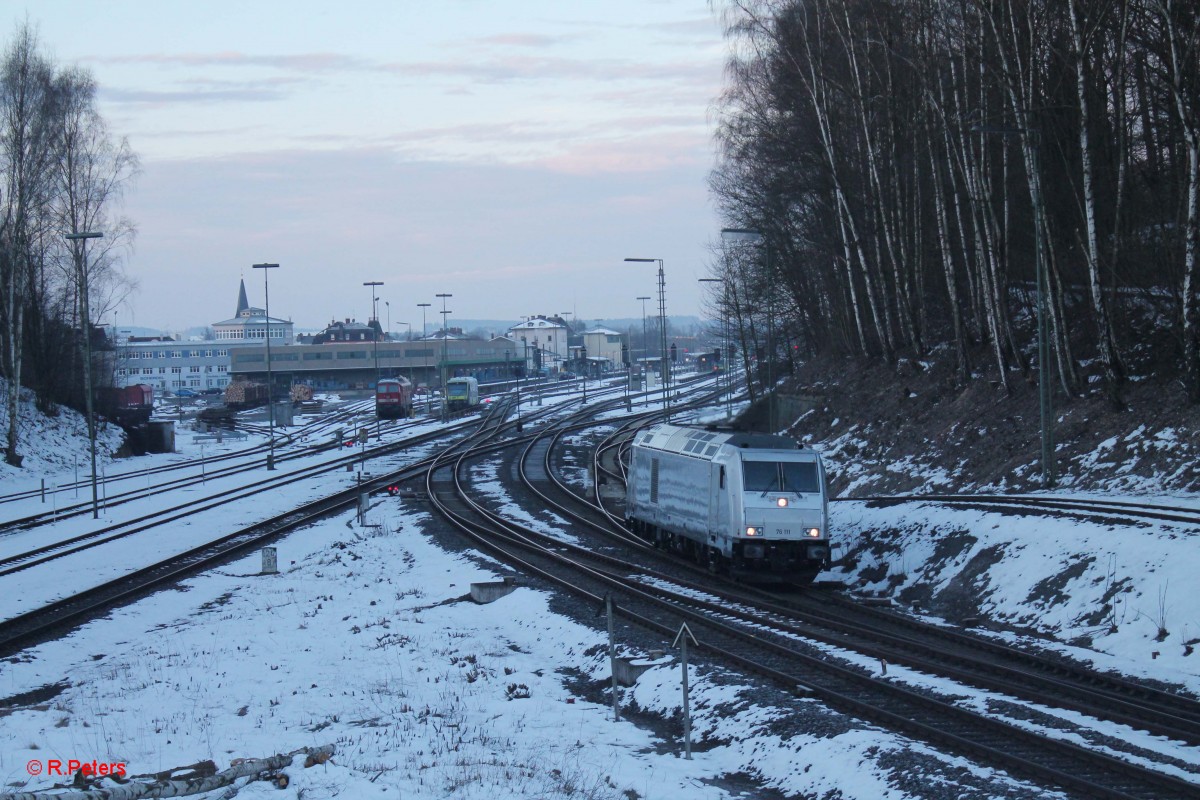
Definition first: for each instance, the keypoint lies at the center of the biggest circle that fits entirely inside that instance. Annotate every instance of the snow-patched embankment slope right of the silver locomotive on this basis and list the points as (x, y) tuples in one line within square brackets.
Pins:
[(1118, 596)]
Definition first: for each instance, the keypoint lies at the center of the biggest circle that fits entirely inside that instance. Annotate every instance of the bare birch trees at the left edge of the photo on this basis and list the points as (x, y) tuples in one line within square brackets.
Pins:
[(63, 173)]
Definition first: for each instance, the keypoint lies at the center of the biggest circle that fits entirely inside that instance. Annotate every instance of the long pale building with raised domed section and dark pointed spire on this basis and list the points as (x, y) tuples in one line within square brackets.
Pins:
[(169, 364)]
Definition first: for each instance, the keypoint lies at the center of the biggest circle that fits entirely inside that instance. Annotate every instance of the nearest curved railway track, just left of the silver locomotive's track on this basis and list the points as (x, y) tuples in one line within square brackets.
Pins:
[(777, 642)]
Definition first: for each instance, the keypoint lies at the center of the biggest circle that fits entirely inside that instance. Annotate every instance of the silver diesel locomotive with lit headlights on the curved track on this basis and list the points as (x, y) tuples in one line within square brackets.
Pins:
[(742, 503)]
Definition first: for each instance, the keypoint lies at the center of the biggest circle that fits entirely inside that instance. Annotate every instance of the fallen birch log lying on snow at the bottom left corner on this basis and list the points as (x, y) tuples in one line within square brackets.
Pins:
[(250, 768)]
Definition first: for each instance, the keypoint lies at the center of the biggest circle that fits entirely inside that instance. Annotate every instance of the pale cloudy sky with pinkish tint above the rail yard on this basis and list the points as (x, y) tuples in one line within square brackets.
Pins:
[(511, 154)]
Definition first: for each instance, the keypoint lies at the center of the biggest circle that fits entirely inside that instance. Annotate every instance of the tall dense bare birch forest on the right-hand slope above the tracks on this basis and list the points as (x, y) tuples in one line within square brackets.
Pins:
[(910, 164)]
